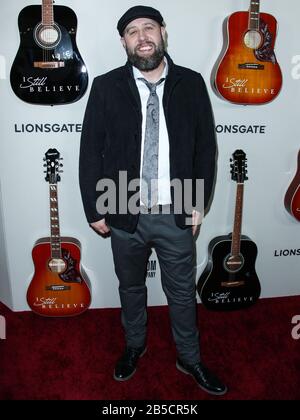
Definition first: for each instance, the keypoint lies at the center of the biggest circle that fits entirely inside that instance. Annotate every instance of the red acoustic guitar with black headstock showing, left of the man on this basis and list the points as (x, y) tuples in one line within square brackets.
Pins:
[(59, 287)]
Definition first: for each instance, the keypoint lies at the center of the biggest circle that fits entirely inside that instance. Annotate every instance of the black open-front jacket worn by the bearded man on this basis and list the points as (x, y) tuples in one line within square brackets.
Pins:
[(112, 133)]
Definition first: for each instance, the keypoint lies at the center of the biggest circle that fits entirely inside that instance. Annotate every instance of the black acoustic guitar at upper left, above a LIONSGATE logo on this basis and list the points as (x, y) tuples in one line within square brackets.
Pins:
[(48, 68)]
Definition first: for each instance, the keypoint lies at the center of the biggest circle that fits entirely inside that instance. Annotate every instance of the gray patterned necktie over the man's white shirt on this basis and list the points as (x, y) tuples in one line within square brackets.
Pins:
[(150, 157)]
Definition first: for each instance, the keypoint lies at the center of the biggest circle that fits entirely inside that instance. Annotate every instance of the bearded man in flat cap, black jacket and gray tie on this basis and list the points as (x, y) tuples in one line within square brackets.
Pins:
[(151, 120)]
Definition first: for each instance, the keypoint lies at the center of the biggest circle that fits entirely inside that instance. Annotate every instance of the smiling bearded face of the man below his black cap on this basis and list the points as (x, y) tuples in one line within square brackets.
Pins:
[(143, 40)]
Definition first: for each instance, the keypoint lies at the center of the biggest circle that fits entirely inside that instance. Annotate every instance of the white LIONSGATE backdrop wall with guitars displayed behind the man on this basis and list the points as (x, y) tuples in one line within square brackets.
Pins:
[(249, 55)]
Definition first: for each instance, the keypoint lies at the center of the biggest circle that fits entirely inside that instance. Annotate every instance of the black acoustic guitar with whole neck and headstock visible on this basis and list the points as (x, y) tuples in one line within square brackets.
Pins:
[(229, 280)]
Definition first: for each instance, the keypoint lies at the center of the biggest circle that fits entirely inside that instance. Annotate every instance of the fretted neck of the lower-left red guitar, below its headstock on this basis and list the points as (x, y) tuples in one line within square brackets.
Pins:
[(54, 222)]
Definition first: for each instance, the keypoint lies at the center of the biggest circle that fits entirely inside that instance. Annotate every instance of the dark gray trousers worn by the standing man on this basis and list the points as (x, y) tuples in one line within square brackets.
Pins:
[(175, 250)]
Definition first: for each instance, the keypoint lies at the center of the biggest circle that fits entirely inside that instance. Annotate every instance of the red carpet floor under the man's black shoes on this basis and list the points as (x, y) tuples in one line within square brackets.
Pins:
[(73, 358)]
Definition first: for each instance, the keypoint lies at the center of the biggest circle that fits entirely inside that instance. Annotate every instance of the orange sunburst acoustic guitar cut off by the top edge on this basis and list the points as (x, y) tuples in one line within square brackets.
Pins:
[(248, 72)]
